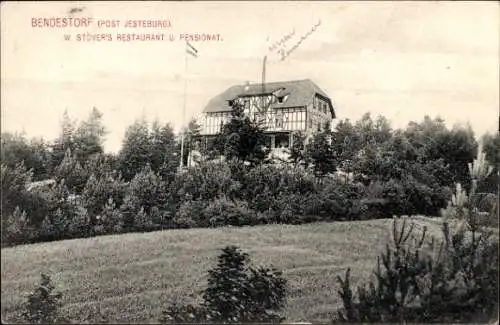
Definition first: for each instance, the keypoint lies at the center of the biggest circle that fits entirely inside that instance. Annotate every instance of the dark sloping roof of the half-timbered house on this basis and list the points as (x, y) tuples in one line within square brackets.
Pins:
[(301, 93)]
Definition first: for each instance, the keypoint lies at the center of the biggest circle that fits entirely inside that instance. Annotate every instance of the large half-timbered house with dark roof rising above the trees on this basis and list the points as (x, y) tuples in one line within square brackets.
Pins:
[(283, 108)]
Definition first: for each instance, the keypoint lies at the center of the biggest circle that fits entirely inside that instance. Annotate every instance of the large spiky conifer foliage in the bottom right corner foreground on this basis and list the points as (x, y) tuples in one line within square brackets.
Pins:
[(453, 279)]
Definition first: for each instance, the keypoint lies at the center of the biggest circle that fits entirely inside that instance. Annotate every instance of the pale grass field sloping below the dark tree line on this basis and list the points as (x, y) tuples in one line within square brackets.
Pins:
[(131, 277)]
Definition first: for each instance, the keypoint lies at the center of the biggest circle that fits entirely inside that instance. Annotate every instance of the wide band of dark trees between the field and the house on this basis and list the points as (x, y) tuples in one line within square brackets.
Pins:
[(389, 171)]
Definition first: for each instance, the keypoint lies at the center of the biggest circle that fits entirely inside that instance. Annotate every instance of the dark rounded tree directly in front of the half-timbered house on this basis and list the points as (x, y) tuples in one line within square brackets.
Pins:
[(242, 138)]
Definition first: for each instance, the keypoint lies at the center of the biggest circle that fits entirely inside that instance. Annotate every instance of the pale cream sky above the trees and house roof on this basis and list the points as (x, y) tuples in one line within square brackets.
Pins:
[(402, 60)]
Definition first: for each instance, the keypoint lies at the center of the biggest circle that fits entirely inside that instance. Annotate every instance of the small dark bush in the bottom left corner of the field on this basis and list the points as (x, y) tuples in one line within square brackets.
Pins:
[(42, 305)]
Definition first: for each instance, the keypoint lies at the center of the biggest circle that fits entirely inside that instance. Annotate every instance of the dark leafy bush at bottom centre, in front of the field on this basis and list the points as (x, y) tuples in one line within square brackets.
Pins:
[(235, 293)]
